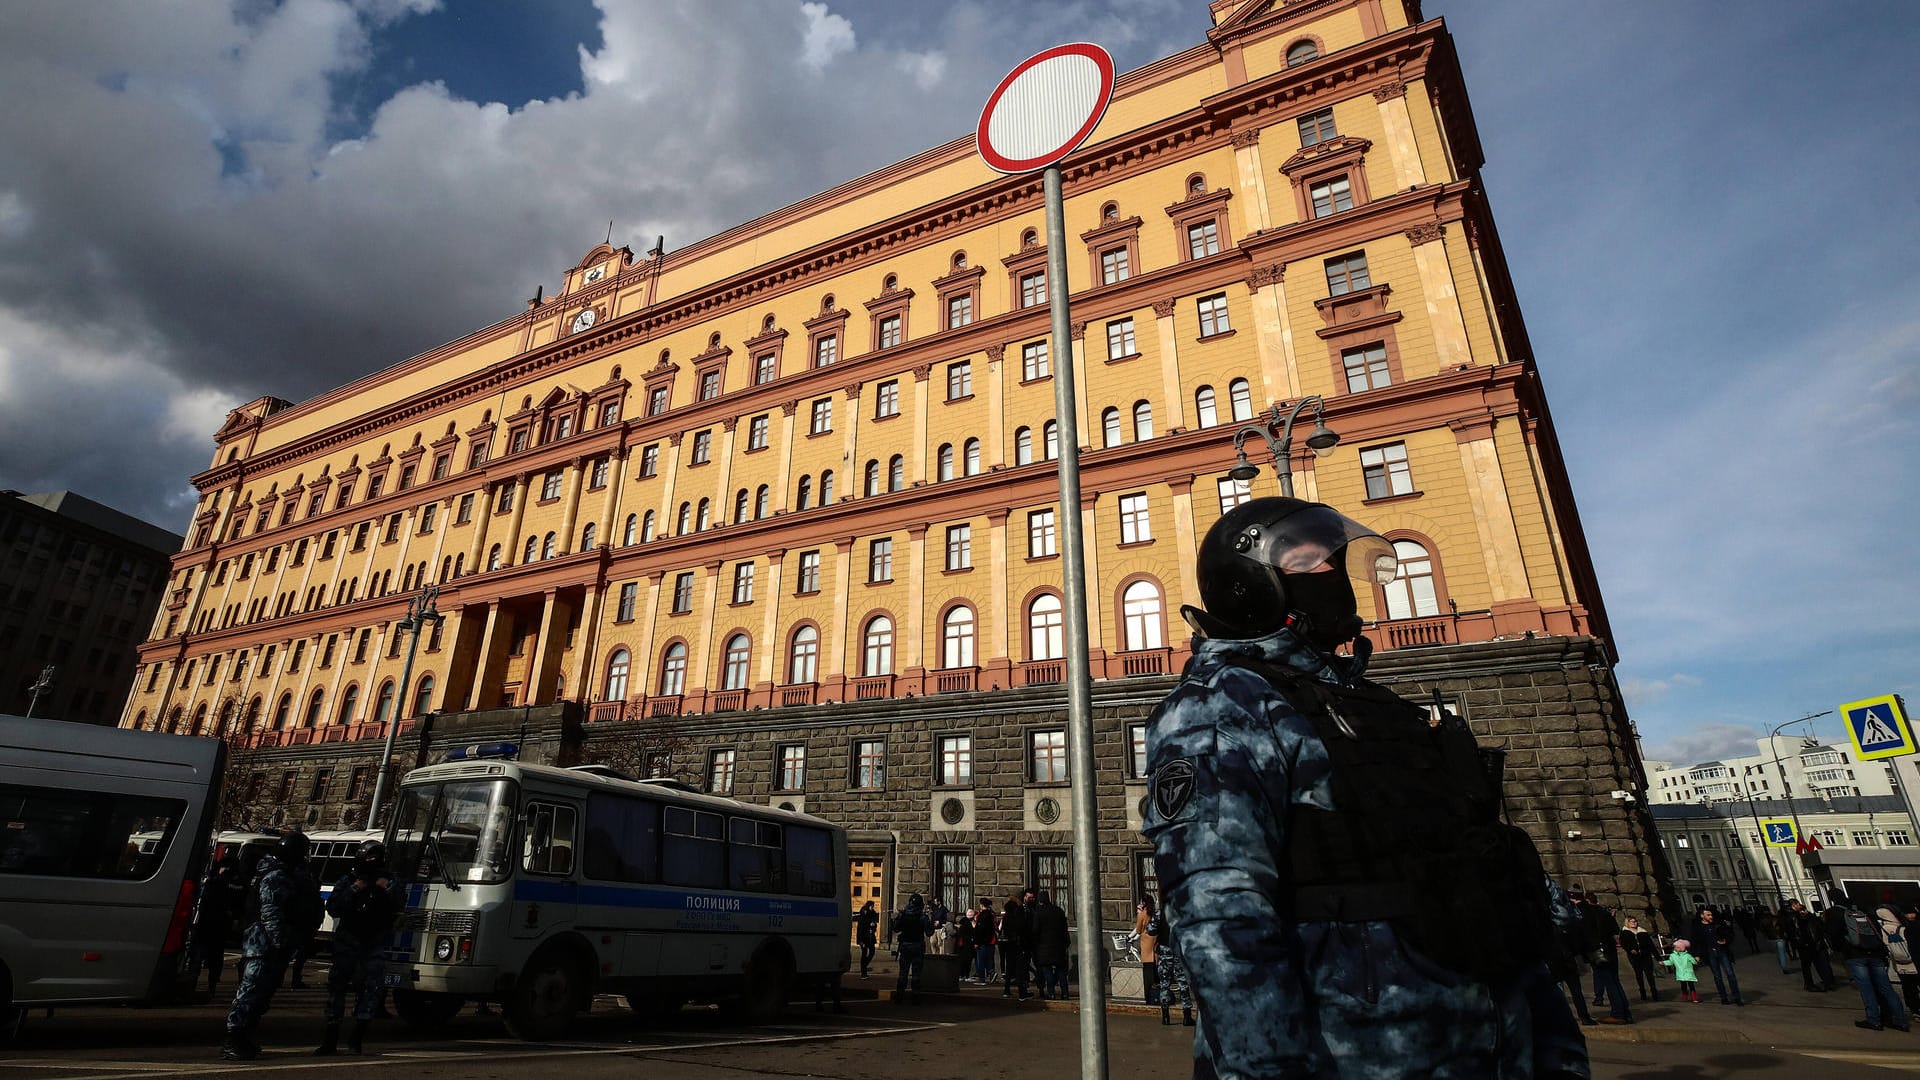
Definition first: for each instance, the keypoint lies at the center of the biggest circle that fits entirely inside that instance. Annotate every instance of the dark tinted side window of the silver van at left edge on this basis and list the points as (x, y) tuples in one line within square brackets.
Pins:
[(85, 835)]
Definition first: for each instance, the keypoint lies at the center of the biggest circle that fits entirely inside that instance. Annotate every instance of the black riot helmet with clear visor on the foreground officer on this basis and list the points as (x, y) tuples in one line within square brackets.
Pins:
[(1257, 547)]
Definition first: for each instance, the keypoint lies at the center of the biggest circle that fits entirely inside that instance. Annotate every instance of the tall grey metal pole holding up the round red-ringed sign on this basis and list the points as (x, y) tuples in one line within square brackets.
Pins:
[(1080, 679)]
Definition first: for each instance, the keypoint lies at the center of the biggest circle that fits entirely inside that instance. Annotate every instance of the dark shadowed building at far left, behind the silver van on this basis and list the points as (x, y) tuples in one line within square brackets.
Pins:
[(80, 585)]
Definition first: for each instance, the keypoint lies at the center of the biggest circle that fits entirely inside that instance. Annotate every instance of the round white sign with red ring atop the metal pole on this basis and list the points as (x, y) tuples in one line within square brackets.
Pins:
[(1045, 109)]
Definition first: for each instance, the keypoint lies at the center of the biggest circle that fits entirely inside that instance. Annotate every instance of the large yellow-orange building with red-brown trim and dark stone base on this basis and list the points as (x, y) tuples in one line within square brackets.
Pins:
[(782, 504)]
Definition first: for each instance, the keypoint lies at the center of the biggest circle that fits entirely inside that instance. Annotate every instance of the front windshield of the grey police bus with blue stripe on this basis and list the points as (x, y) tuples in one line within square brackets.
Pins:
[(456, 831)]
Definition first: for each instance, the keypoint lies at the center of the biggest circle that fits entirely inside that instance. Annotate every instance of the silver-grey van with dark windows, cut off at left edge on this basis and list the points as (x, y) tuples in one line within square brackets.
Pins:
[(103, 843)]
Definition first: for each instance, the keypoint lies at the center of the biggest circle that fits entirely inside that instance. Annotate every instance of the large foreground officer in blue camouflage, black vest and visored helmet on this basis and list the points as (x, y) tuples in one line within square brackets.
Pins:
[(1349, 900)]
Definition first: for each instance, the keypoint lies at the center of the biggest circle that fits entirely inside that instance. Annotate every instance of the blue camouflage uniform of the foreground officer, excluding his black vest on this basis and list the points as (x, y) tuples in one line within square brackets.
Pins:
[(1280, 998)]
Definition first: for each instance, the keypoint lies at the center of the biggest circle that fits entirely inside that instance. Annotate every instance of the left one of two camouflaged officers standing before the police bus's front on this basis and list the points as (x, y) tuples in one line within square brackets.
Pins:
[(281, 900)]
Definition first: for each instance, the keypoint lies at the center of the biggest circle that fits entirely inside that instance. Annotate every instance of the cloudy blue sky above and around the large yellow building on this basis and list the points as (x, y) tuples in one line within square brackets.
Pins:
[(1710, 212)]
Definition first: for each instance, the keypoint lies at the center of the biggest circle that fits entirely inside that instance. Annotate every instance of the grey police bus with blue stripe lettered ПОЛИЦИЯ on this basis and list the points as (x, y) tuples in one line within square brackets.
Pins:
[(540, 887)]
